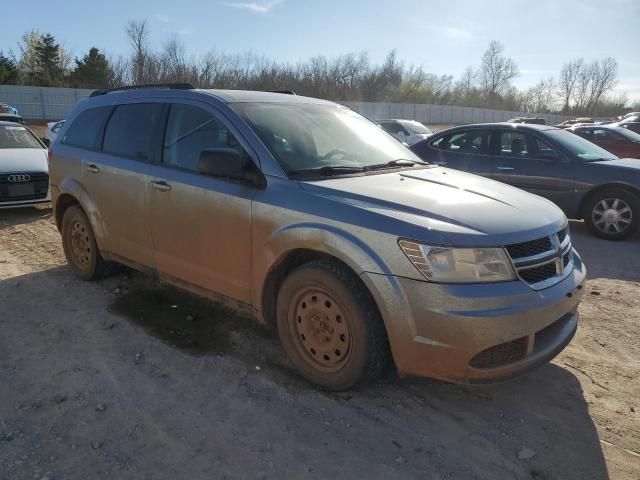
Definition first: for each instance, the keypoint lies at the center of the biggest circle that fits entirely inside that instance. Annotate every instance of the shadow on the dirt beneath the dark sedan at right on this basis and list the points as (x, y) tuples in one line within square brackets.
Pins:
[(606, 259)]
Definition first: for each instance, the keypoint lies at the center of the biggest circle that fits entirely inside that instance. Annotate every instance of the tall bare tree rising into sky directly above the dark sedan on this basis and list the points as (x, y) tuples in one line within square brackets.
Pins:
[(496, 71)]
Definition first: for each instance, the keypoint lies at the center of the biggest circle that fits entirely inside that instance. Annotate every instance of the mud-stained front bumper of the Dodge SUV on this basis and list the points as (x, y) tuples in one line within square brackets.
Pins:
[(476, 333)]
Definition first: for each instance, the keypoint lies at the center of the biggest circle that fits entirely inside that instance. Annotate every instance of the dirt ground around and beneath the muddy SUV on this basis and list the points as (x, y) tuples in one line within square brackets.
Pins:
[(129, 379)]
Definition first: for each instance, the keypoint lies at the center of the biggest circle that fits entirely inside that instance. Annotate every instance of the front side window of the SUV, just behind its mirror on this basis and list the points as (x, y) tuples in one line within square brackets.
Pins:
[(190, 130)]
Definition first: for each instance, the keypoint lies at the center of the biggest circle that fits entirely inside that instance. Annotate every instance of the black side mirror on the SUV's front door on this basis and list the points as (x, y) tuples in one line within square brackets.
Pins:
[(228, 163)]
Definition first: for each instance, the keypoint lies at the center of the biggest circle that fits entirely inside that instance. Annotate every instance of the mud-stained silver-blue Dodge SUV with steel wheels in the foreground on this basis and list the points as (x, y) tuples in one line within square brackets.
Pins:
[(320, 223)]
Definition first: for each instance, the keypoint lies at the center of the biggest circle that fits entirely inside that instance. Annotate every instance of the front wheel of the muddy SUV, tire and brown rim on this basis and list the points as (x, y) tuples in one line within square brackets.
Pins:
[(340, 319)]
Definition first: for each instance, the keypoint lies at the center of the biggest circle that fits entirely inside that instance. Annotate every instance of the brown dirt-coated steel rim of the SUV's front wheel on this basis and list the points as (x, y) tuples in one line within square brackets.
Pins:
[(321, 330)]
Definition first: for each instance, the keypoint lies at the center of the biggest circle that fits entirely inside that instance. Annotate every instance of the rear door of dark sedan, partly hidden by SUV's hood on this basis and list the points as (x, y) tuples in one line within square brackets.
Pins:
[(466, 150)]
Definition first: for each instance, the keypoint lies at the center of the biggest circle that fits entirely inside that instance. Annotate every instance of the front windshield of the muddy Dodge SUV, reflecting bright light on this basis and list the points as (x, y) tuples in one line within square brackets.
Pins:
[(306, 137)]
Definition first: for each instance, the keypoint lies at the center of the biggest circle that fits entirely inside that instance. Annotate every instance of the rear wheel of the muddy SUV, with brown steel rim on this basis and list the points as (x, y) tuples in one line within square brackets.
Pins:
[(80, 248)]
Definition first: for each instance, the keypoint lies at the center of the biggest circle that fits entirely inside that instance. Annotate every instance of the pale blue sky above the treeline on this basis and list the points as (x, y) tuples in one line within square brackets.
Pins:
[(443, 36)]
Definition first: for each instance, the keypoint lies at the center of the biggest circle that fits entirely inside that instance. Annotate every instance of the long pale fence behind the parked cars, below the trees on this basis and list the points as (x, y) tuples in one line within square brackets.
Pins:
[(49, 103)]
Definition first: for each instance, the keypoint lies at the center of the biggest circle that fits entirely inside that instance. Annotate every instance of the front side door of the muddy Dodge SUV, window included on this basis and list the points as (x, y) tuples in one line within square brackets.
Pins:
[(201, 226)]
